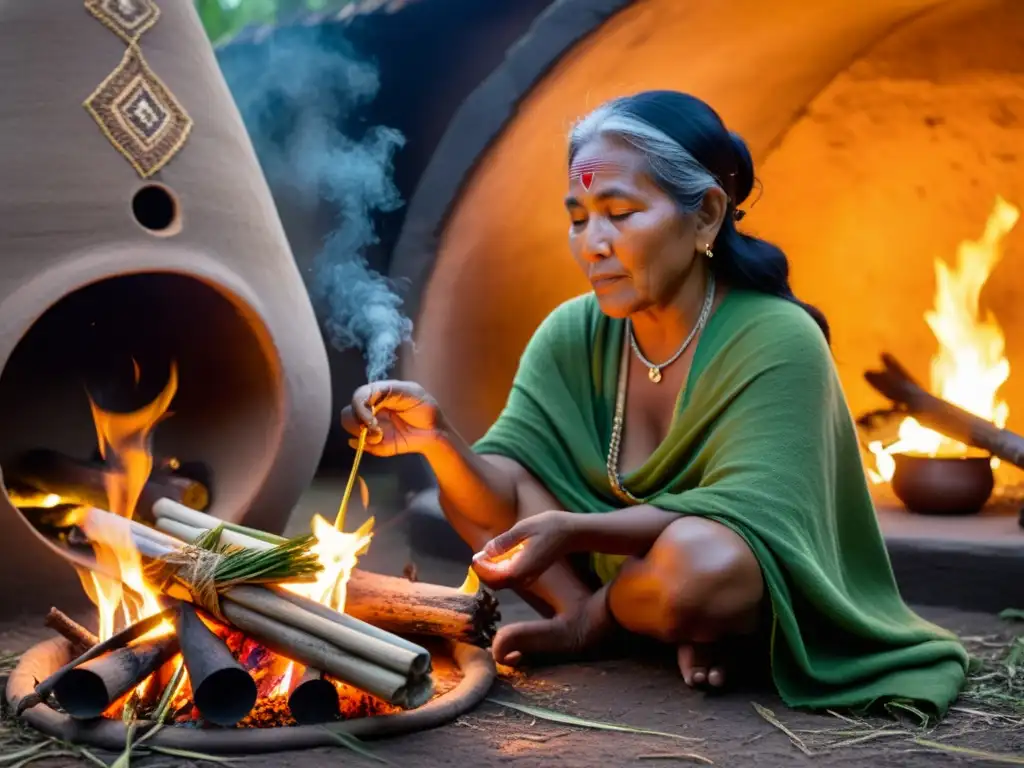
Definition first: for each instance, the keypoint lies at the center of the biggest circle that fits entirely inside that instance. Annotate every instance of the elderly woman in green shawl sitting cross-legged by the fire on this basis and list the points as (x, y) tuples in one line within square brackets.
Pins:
[(684, 429)]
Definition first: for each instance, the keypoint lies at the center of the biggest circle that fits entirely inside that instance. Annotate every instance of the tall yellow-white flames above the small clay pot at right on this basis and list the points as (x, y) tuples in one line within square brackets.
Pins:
[(971, 364)]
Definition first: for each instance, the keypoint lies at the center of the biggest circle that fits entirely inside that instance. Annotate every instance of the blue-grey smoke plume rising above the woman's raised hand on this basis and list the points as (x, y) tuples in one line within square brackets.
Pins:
[(301, 99)]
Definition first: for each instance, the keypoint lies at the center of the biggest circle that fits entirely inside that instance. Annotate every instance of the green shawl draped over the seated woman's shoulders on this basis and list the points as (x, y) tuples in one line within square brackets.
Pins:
[(762, 443)]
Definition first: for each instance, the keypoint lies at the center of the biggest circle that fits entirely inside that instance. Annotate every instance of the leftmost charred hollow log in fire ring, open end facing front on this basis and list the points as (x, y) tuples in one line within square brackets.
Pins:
[(88, 691)]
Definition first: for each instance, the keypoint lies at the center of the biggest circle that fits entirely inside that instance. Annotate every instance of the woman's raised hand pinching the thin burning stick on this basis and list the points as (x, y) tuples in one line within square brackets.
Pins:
[(401, 418)]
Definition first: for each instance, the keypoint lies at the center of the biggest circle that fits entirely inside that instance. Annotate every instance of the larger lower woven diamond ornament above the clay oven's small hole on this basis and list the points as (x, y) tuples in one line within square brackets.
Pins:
[(140, 116)]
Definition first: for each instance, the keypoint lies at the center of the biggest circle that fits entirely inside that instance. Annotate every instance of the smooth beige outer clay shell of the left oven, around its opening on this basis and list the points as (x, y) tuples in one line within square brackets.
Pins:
[(70, 223)]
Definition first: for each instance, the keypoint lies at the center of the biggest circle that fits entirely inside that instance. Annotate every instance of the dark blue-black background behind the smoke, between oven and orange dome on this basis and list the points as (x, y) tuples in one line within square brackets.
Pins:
[(432, 55)]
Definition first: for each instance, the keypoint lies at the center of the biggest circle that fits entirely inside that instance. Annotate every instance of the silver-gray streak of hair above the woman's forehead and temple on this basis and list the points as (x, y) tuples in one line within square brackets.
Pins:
[(671, 165)]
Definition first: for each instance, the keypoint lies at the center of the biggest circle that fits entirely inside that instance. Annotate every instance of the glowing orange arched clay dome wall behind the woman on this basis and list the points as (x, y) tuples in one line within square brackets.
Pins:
[(882, 133)]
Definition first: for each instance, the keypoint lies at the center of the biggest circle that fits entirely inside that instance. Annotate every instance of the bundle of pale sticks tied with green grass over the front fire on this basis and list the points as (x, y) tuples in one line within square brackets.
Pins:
[(239, 587)]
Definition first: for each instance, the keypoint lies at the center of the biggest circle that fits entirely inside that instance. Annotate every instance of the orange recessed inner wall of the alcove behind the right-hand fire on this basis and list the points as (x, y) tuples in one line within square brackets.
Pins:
[(893, 165)]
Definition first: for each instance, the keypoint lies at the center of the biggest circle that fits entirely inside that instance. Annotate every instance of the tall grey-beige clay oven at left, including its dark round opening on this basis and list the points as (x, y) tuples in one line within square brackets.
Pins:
[(222, 297)]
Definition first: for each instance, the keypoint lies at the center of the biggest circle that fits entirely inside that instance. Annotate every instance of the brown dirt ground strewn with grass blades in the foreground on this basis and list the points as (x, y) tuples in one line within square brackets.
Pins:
[(728, 730)]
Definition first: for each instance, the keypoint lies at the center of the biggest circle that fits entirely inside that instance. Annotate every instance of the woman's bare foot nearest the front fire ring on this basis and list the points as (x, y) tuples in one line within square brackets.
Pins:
[(561, 636)]
